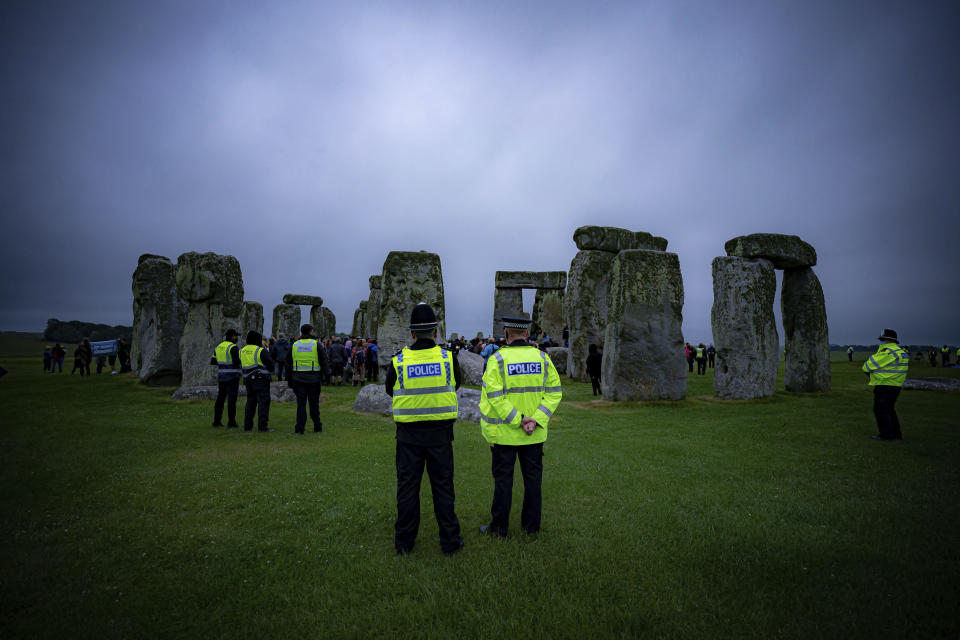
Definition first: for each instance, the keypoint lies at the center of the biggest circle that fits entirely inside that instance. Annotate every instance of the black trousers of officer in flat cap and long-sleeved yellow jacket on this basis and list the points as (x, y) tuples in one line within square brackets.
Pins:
[(531, 467)]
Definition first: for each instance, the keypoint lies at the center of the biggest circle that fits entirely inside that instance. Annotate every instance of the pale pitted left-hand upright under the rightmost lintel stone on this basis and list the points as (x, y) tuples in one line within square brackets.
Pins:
[(744, 328)]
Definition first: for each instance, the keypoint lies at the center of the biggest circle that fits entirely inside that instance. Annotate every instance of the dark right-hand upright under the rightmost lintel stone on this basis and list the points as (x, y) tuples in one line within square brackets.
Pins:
[(804, 314)]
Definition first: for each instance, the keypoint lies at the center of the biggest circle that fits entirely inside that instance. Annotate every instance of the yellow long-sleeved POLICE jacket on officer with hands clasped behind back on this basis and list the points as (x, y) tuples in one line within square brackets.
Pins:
[(521, 382)]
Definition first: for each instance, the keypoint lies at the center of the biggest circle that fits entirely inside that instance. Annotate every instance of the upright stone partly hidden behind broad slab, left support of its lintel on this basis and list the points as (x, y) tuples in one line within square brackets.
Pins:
[(585, 307)]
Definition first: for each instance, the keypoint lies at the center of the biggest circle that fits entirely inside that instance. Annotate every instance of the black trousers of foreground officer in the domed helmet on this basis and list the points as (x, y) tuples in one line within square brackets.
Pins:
[(438, 459)]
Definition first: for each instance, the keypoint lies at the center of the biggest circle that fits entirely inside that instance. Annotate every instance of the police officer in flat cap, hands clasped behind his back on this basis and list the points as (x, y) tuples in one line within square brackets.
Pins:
[(521, 391)]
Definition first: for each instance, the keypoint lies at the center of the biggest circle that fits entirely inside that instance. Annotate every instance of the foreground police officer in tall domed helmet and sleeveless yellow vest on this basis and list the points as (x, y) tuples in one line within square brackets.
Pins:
[(423, 380)]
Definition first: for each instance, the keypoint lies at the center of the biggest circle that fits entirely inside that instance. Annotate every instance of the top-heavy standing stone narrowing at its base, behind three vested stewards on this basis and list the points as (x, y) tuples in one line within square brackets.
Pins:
[(213, 285)]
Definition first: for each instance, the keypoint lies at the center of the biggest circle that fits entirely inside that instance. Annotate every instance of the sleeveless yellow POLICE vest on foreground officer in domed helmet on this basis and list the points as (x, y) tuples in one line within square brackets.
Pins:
[(425, 388)]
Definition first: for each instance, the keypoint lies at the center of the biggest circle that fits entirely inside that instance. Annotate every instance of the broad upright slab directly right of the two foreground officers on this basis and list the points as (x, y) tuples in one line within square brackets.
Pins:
[(643, 343)]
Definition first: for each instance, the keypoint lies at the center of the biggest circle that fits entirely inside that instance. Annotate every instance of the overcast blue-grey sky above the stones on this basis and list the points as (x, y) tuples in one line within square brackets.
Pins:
[(309, 139)]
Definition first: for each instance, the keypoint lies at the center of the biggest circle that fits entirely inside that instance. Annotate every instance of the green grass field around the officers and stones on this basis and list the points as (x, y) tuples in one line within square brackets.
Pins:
[(124, 514)]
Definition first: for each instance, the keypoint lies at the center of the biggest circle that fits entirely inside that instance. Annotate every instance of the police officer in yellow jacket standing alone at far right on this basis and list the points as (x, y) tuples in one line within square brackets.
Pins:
[(887, 369)]
